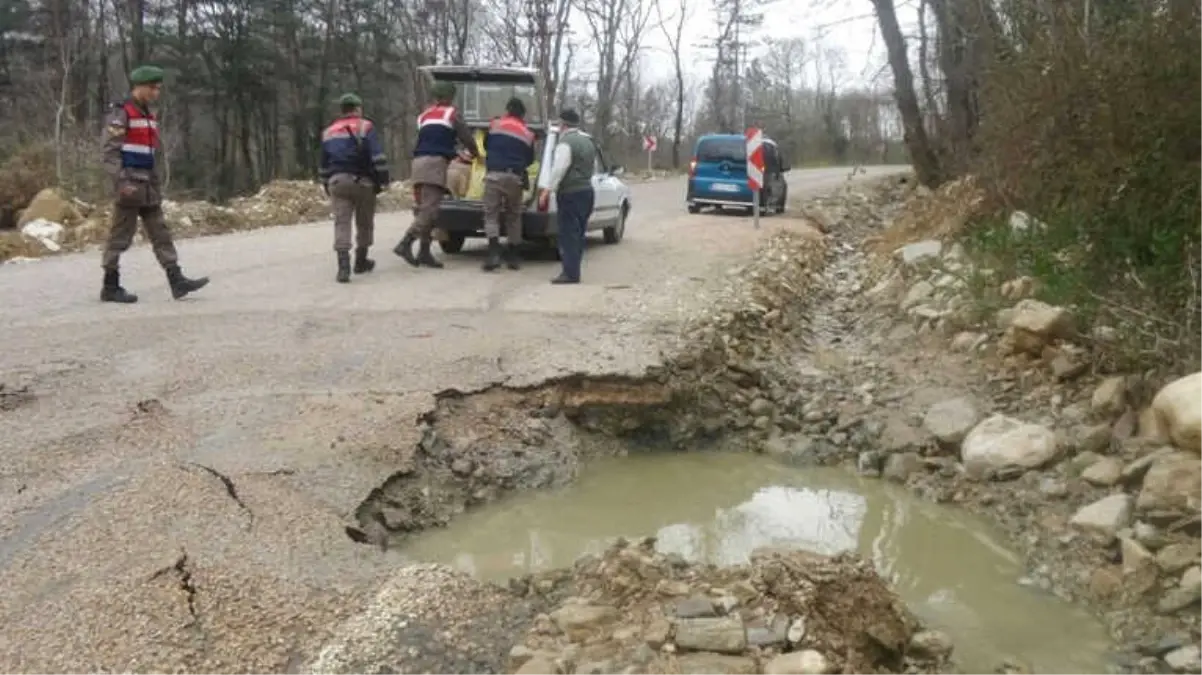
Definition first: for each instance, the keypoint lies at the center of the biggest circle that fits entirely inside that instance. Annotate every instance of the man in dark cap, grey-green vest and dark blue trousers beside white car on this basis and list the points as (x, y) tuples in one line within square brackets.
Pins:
[(572, 180)]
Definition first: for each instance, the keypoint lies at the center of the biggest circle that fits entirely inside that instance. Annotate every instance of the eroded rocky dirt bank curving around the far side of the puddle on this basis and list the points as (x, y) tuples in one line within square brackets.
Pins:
[(871, 348)]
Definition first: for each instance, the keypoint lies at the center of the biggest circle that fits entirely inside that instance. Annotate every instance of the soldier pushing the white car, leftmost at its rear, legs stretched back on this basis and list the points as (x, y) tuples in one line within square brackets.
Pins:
[(438, 130)]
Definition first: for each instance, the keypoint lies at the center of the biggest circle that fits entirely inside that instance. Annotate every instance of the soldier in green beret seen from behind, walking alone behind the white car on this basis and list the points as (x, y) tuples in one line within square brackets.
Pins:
[(354, 170)]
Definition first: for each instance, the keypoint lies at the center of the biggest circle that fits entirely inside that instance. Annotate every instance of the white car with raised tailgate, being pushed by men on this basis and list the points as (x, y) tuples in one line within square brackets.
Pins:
[(481, 94)]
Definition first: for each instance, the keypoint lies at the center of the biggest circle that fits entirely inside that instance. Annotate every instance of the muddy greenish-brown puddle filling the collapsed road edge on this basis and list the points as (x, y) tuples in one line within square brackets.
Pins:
[(719, 507)]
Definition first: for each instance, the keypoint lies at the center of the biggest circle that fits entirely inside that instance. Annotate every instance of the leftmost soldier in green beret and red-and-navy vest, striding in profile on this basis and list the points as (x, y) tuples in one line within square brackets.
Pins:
[(129, 159)]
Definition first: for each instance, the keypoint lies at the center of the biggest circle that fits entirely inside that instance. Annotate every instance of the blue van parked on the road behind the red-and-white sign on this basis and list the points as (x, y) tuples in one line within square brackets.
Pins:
[(718, 176)]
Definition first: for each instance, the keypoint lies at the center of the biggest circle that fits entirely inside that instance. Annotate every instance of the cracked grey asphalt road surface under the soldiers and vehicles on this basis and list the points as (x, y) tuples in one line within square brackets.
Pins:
[(175, 492)]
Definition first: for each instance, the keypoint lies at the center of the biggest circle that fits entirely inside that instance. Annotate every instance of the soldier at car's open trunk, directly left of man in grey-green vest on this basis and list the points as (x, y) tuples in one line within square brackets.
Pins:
[(509, 153)]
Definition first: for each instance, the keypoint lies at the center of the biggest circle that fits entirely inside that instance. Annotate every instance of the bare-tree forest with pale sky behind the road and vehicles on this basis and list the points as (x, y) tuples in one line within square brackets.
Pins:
[(253, 83)]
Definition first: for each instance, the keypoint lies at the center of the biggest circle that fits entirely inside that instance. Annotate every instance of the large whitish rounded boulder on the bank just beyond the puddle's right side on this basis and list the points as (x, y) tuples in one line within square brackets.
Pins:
[(1002, 443)]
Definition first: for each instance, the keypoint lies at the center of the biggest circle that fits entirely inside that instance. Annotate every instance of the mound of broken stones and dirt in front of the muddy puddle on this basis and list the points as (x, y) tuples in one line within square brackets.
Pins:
[(634, 611)]
